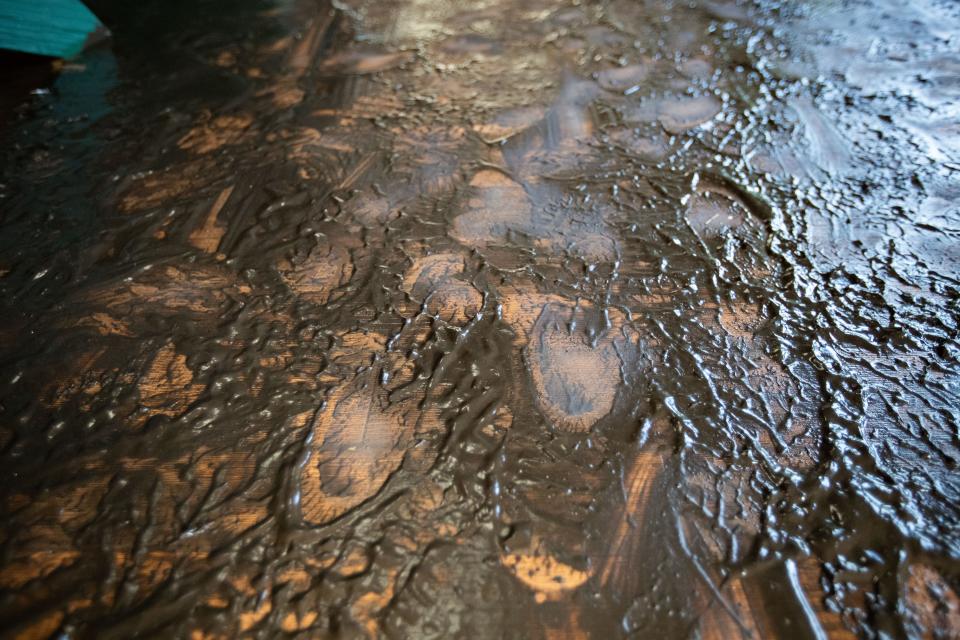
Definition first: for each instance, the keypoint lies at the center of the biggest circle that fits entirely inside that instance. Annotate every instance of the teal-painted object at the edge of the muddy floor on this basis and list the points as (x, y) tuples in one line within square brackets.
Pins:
[(57, 28)]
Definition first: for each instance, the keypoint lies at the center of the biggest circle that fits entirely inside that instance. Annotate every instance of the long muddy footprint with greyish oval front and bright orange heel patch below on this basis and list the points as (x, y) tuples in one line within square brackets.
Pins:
[(572, 359)]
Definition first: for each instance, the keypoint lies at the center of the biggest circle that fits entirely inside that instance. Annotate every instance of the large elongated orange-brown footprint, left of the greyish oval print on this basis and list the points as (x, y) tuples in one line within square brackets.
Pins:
[(366, 430)]
